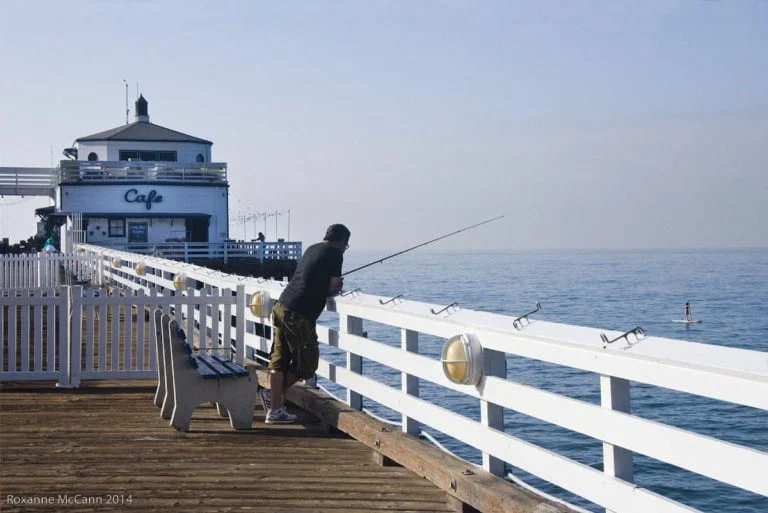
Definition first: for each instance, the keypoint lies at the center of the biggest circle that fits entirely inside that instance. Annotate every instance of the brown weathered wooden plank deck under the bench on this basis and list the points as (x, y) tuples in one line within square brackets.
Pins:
[(107, 443)]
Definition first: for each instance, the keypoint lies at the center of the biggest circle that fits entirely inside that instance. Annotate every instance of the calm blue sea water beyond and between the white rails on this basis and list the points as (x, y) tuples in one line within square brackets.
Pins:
[(728, 289)]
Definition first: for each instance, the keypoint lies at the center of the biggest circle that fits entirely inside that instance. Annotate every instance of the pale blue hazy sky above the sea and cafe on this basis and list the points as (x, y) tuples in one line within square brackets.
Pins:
[(590, 124)]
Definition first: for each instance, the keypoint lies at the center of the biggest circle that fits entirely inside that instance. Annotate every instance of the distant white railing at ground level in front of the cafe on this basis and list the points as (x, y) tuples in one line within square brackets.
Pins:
[(225, 251)]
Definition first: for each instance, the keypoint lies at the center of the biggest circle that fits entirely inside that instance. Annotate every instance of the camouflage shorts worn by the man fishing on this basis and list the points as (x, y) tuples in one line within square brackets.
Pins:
[(294, 343)]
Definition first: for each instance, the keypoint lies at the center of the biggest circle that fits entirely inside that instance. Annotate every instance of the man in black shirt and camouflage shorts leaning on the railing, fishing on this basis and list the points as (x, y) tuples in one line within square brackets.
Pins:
[(295, 352)]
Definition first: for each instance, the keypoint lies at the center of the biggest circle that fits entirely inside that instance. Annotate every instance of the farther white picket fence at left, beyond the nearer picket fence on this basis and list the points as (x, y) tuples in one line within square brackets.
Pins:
[(46, 270)]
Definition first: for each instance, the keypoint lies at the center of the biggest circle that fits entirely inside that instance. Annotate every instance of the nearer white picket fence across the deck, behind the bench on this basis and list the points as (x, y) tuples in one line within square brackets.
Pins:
[(103, 336)]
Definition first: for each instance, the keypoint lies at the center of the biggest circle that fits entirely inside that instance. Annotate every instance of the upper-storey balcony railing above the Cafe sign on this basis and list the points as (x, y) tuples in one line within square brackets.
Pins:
[(122, 171)]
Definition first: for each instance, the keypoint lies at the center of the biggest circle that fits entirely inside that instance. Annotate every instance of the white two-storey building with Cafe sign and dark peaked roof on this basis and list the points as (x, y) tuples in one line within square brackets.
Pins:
[(142, 183)]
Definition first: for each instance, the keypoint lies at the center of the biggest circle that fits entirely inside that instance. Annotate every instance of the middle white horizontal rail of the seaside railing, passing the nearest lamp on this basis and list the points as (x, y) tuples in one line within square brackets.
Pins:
[(666, 443)]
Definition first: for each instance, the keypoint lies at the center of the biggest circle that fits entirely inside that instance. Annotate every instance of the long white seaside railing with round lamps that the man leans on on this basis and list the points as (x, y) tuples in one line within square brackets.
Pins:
[(727, 374)]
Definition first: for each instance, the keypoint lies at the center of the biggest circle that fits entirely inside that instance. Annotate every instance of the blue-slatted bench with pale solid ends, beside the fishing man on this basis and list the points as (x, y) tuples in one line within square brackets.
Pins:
[(189, 379)]
